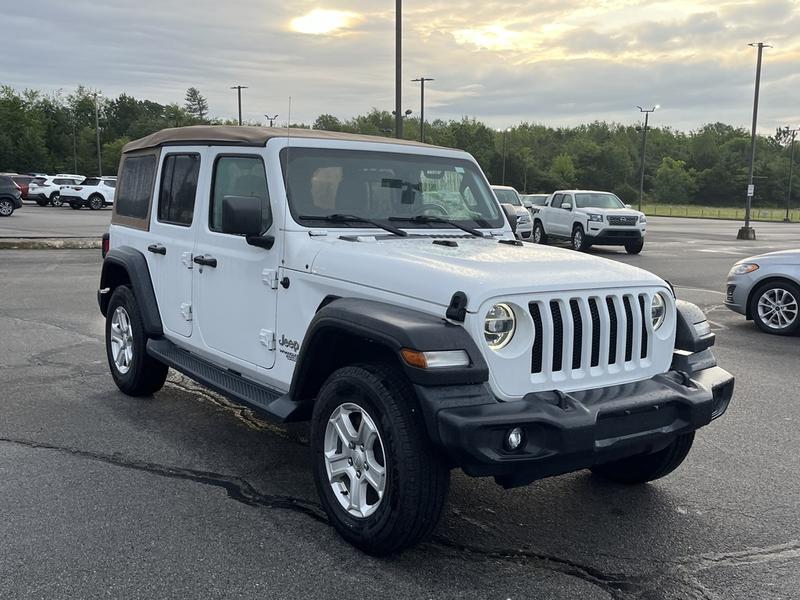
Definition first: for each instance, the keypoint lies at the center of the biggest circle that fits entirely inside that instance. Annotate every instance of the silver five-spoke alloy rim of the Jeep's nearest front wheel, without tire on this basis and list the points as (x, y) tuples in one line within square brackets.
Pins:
[(355, 460)]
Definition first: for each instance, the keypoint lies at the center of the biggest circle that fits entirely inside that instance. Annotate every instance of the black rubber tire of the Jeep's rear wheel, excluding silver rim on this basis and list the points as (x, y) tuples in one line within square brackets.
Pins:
[(145, 375)]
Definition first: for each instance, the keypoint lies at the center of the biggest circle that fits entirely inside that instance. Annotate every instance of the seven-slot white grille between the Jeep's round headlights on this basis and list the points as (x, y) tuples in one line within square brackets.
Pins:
[(593, 334)]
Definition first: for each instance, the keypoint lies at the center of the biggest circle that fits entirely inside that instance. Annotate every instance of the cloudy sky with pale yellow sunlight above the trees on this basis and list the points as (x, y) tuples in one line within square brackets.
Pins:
[(557, 62)]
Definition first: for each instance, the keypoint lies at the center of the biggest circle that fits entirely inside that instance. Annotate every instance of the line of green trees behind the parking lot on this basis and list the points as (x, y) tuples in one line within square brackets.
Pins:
[(708, 166)]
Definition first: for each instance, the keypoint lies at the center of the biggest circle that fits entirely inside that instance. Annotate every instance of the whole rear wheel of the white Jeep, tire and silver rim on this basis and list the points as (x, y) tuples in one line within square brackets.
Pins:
[(134, 371)]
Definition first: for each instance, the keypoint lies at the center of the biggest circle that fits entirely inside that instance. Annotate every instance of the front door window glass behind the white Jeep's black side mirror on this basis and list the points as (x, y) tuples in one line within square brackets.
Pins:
[(242, 176)]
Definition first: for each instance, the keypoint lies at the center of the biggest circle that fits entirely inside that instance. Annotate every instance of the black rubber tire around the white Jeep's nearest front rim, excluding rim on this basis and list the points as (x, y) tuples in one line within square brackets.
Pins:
[(417, 480)]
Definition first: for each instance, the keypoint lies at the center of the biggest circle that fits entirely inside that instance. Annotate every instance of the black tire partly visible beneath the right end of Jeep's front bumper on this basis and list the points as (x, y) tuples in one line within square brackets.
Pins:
[(647, 467)]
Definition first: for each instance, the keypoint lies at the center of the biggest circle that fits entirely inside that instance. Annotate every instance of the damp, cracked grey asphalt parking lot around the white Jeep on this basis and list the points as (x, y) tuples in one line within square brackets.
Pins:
[(183, 495)]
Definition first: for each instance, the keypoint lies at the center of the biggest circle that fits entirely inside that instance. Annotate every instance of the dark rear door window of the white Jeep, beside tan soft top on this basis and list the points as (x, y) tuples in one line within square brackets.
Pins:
[(178, 188)]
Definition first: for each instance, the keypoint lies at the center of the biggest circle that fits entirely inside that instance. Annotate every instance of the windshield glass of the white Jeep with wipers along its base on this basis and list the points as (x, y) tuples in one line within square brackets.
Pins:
[(386, 186)]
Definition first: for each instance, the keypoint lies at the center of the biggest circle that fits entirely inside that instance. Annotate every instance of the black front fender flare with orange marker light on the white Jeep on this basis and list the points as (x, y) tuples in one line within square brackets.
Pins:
[(390, 327)]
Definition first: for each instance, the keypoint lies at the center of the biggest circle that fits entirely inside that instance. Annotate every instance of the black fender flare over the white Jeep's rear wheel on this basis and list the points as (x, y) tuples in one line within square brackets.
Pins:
[(126, 265)]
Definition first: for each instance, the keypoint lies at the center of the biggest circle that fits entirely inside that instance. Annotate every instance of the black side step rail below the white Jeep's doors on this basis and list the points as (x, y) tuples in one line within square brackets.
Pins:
[(244, 391)]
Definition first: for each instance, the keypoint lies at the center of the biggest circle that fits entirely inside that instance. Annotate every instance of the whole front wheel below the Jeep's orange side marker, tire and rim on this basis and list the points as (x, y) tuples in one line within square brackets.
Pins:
[(380, 481)]
